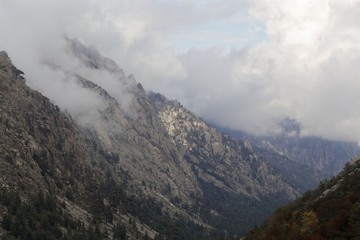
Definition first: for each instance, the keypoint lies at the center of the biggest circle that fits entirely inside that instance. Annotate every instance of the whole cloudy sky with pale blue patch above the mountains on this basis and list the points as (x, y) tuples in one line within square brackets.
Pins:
[(245, 64)]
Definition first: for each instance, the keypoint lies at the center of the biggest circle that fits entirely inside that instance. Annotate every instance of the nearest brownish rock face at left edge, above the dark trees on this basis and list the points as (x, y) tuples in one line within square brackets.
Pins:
[(37, 140)]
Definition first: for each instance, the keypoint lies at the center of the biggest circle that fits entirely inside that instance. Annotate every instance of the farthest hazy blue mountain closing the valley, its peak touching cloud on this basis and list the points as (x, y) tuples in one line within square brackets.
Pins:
[(289, 151)]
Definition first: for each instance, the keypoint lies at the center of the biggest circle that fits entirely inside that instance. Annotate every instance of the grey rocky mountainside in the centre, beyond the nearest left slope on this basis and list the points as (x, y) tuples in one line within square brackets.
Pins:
[(176, 159)]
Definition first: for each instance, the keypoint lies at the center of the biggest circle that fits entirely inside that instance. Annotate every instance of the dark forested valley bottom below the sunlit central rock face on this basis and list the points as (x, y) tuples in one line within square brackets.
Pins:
[(237, 212)]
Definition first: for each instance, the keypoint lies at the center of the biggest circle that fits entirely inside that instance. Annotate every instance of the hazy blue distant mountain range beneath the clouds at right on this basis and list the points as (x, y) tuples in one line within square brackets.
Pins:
[(326, 158)]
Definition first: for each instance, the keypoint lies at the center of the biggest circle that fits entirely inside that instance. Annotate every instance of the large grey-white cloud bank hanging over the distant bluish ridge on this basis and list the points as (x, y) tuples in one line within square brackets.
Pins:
[(305, 69)]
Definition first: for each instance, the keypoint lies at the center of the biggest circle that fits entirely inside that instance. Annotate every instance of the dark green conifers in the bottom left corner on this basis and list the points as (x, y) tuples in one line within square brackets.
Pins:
[(40, 218)]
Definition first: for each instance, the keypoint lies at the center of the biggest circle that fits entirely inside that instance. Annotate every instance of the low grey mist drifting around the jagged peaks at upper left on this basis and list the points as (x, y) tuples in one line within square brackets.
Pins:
[(38, 42)]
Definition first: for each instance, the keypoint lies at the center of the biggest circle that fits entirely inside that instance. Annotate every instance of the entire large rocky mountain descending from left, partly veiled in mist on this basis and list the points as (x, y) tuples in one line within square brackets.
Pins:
[(133, 165)]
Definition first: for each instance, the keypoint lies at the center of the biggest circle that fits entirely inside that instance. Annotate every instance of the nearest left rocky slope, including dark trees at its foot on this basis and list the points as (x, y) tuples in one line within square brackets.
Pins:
[(44, 161)]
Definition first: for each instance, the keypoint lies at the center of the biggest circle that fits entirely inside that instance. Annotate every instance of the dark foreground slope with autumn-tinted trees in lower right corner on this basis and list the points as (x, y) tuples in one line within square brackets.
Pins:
[(332, 211)]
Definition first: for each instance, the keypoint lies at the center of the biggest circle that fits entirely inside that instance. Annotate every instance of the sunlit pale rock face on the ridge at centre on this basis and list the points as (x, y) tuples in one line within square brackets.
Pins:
[(217, 157)]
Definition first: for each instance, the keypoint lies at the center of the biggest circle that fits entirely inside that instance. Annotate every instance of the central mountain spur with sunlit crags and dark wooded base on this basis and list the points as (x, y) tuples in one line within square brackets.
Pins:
[(236, 183)]
